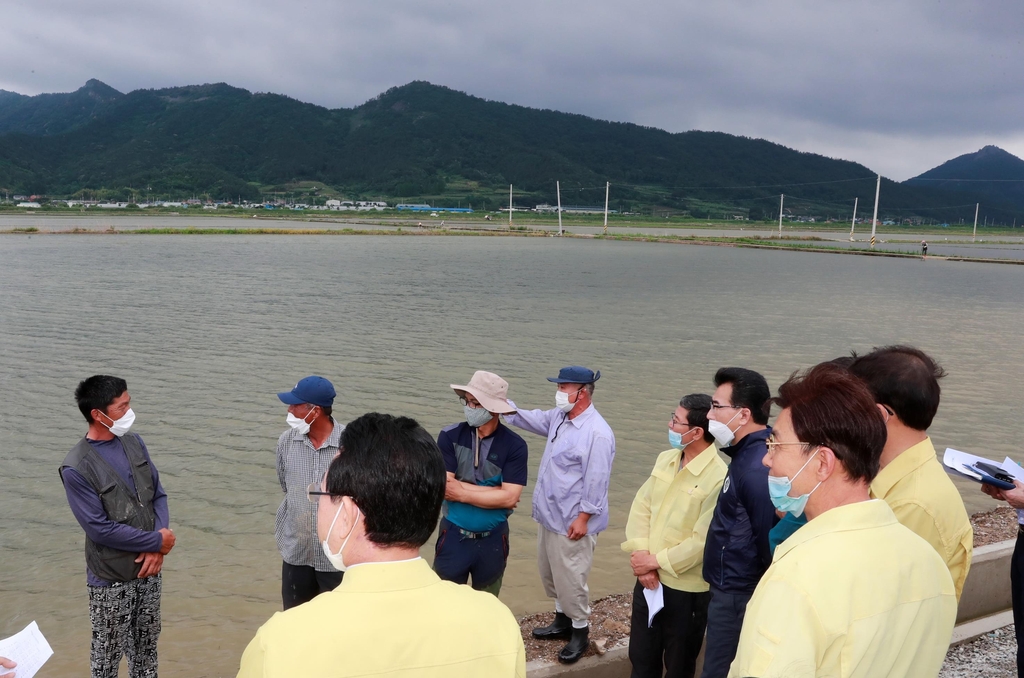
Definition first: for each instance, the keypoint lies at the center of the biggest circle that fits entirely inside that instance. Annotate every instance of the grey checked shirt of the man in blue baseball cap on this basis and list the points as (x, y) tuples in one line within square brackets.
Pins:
[(298, 465)]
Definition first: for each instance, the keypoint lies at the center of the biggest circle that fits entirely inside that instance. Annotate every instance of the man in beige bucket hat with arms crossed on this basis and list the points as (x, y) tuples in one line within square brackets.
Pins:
[(487, 472)]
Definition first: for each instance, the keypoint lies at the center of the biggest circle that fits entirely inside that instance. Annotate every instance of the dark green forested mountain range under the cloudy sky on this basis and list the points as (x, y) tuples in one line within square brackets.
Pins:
[(428, 143)]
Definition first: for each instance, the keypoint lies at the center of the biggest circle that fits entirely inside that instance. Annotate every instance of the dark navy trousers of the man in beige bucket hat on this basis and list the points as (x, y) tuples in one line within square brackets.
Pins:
[(458, 557)]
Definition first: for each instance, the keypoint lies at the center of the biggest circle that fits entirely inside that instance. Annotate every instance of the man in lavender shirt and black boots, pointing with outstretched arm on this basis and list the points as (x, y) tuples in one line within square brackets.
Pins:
[(571, 501)]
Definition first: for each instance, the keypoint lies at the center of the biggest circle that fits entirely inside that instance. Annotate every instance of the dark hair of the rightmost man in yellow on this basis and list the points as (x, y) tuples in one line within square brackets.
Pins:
[(906, 379)]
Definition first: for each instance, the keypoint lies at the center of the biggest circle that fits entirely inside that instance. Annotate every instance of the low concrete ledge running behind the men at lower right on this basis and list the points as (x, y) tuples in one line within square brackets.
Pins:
[(985, 607)]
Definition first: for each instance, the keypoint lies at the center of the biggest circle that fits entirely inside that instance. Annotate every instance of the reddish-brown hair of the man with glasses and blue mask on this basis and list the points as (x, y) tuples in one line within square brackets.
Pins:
[(833, 408)]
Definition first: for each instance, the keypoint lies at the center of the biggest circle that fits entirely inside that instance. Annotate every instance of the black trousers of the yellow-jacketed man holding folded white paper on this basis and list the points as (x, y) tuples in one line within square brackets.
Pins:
[(671, 646)]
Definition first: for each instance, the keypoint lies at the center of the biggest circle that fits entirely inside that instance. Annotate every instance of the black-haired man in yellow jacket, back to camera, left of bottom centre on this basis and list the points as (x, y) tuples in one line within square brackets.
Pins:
[(392, 615)]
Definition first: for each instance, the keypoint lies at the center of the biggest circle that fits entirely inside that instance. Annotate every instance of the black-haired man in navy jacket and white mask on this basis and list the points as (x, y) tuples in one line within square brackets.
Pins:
[(738, 552)]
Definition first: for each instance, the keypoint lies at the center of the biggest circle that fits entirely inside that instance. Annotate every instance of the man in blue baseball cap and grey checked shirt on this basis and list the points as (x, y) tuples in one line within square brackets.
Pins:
[(305, 453)]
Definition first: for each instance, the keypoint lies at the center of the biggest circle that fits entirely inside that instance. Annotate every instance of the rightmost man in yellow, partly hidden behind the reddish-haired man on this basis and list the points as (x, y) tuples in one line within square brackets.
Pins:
[(906, 385)]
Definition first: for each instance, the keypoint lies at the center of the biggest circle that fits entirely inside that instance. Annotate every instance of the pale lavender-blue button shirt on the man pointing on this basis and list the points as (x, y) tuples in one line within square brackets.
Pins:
[(576, 468)]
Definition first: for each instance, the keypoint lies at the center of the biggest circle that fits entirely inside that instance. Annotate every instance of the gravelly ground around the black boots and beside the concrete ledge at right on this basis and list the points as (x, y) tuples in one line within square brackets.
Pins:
[(610, 621)]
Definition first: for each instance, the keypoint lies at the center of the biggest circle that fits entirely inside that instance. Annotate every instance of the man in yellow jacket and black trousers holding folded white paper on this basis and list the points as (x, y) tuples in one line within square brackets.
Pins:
[(666, 534)]
